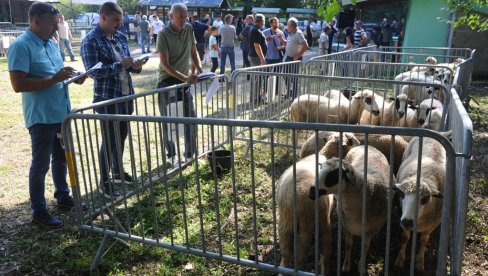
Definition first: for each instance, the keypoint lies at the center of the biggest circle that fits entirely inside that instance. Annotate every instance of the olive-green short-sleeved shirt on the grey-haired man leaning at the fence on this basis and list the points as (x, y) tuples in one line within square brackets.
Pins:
[(178, 46)]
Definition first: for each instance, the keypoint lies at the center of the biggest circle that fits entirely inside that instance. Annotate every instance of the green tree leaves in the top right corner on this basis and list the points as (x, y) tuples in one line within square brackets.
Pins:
[(466, 14)]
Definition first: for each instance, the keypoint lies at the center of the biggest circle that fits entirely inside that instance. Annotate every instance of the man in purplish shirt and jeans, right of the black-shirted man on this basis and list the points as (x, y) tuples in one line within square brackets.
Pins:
[(275, 42)]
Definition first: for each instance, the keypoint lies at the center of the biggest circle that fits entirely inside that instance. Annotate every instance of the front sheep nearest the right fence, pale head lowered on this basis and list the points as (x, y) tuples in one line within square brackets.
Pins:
[(432, 177)]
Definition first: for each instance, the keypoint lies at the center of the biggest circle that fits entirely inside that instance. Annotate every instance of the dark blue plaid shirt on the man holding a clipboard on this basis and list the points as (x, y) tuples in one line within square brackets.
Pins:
[(96, 47)]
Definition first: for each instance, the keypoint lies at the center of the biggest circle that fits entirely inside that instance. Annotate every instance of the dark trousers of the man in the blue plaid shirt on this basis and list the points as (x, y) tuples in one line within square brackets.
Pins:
[(113, 132)]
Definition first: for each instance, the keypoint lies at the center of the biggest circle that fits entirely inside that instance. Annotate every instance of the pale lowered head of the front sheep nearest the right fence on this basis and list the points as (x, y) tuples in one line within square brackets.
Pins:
[(407, 194)]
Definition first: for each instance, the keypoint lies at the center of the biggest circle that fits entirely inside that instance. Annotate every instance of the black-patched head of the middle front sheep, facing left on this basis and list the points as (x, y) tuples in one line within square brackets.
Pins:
[(329, 181)]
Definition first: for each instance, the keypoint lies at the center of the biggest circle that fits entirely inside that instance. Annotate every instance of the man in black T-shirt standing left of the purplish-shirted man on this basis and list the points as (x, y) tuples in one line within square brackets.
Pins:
[(257, 42)]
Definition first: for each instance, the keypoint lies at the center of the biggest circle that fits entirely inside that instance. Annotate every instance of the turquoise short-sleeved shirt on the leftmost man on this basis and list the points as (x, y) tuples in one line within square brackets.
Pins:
[(38, 58)]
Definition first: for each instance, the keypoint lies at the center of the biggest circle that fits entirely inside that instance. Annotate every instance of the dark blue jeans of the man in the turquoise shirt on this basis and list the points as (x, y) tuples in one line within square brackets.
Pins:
[(46, 147)]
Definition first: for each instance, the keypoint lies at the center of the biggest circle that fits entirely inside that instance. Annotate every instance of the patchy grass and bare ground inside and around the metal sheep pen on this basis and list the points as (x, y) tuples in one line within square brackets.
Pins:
[(70, 251)]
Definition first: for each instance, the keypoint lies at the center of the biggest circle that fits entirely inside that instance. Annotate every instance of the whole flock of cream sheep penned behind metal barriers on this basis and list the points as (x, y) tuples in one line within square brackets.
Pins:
[(343, 168)]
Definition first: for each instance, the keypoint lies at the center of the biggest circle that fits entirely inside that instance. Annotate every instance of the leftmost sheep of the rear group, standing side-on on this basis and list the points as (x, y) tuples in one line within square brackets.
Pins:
[(319, 109)]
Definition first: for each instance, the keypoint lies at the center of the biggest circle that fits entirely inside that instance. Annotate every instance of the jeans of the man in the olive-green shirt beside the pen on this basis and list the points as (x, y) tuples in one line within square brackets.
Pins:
[(188, 111)]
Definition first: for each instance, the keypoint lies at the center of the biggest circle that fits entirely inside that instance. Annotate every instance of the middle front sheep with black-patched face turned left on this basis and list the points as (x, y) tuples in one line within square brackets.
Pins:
[(350, 186)]
